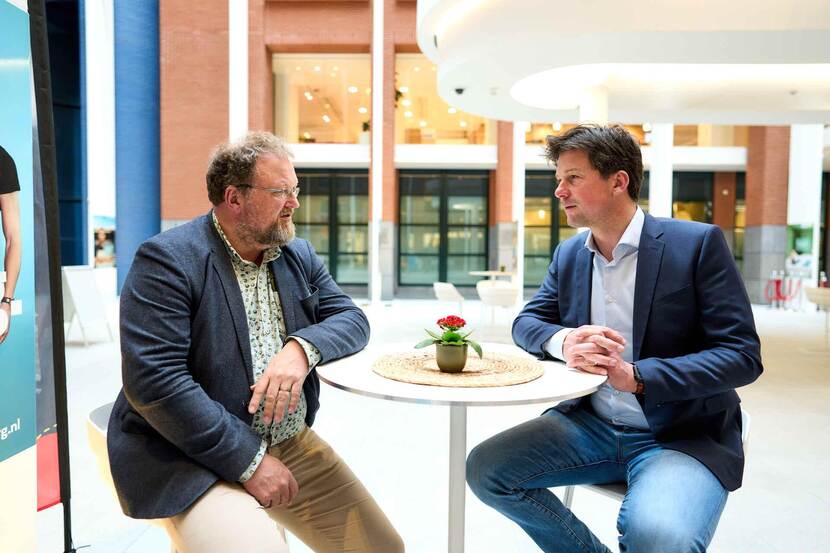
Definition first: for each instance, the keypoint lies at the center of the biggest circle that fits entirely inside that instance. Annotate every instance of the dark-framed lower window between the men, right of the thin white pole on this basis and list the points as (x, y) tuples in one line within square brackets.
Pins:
[(443, 230)]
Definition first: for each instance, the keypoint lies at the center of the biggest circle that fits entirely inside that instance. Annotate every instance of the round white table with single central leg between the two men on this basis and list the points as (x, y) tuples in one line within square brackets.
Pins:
[(558, 383)]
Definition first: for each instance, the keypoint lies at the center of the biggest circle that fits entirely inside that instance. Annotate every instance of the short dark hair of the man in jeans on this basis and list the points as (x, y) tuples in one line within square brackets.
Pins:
[(610, 149)]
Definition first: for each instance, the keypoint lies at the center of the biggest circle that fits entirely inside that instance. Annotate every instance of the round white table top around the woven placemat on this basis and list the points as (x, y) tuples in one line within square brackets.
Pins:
[(354, 374)]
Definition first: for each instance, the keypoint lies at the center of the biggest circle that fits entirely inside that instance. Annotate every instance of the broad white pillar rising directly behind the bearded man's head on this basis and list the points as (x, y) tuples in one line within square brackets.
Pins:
[(237, 68)]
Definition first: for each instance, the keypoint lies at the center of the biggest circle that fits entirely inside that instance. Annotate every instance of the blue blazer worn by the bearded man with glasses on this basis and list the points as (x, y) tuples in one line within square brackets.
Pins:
[(181, 422)]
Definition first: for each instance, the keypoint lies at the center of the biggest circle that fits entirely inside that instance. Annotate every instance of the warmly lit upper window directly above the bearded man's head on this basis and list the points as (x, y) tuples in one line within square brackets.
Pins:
[(322, 98)]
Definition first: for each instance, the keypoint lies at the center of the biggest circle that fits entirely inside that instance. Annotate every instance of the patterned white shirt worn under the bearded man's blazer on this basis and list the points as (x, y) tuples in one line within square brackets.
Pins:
[(266, 329)]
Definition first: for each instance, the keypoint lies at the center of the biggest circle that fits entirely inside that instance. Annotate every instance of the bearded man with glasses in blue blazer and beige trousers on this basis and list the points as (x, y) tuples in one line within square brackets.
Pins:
[(223, 321)]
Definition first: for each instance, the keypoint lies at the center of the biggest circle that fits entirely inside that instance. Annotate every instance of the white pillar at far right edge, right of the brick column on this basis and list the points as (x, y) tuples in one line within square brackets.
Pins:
[(804, 189)]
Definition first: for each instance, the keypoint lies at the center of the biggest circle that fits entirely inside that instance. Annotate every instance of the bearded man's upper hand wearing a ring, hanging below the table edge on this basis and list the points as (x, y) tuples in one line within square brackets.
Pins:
[(281, 383)]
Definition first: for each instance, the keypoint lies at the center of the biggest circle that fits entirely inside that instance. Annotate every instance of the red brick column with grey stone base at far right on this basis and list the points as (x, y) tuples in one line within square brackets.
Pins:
[(767, 175)]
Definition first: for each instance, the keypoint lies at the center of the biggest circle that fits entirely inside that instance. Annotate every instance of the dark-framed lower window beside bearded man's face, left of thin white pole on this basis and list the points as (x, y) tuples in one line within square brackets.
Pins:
[(333, 215)]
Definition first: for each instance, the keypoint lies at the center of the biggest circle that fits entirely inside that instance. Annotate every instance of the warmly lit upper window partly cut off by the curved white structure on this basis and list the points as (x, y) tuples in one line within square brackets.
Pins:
[(423, 117)]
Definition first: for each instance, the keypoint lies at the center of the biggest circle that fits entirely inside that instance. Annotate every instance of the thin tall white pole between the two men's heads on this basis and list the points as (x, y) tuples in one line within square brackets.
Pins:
[(375, 276)]
